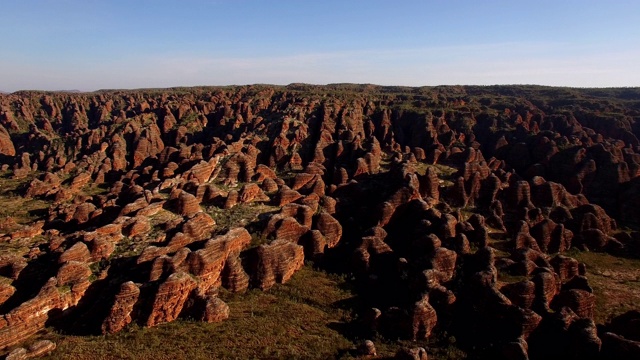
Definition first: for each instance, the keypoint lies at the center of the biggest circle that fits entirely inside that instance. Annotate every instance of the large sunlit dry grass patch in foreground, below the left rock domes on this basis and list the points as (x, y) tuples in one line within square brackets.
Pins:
[(296, 320)]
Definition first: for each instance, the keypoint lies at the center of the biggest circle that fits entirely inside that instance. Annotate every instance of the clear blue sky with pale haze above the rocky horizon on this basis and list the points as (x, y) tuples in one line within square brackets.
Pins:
[(92, 44)]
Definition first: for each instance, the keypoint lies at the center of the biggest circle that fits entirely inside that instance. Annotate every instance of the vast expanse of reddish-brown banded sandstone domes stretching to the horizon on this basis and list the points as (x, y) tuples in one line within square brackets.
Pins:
[(449, 209)]
